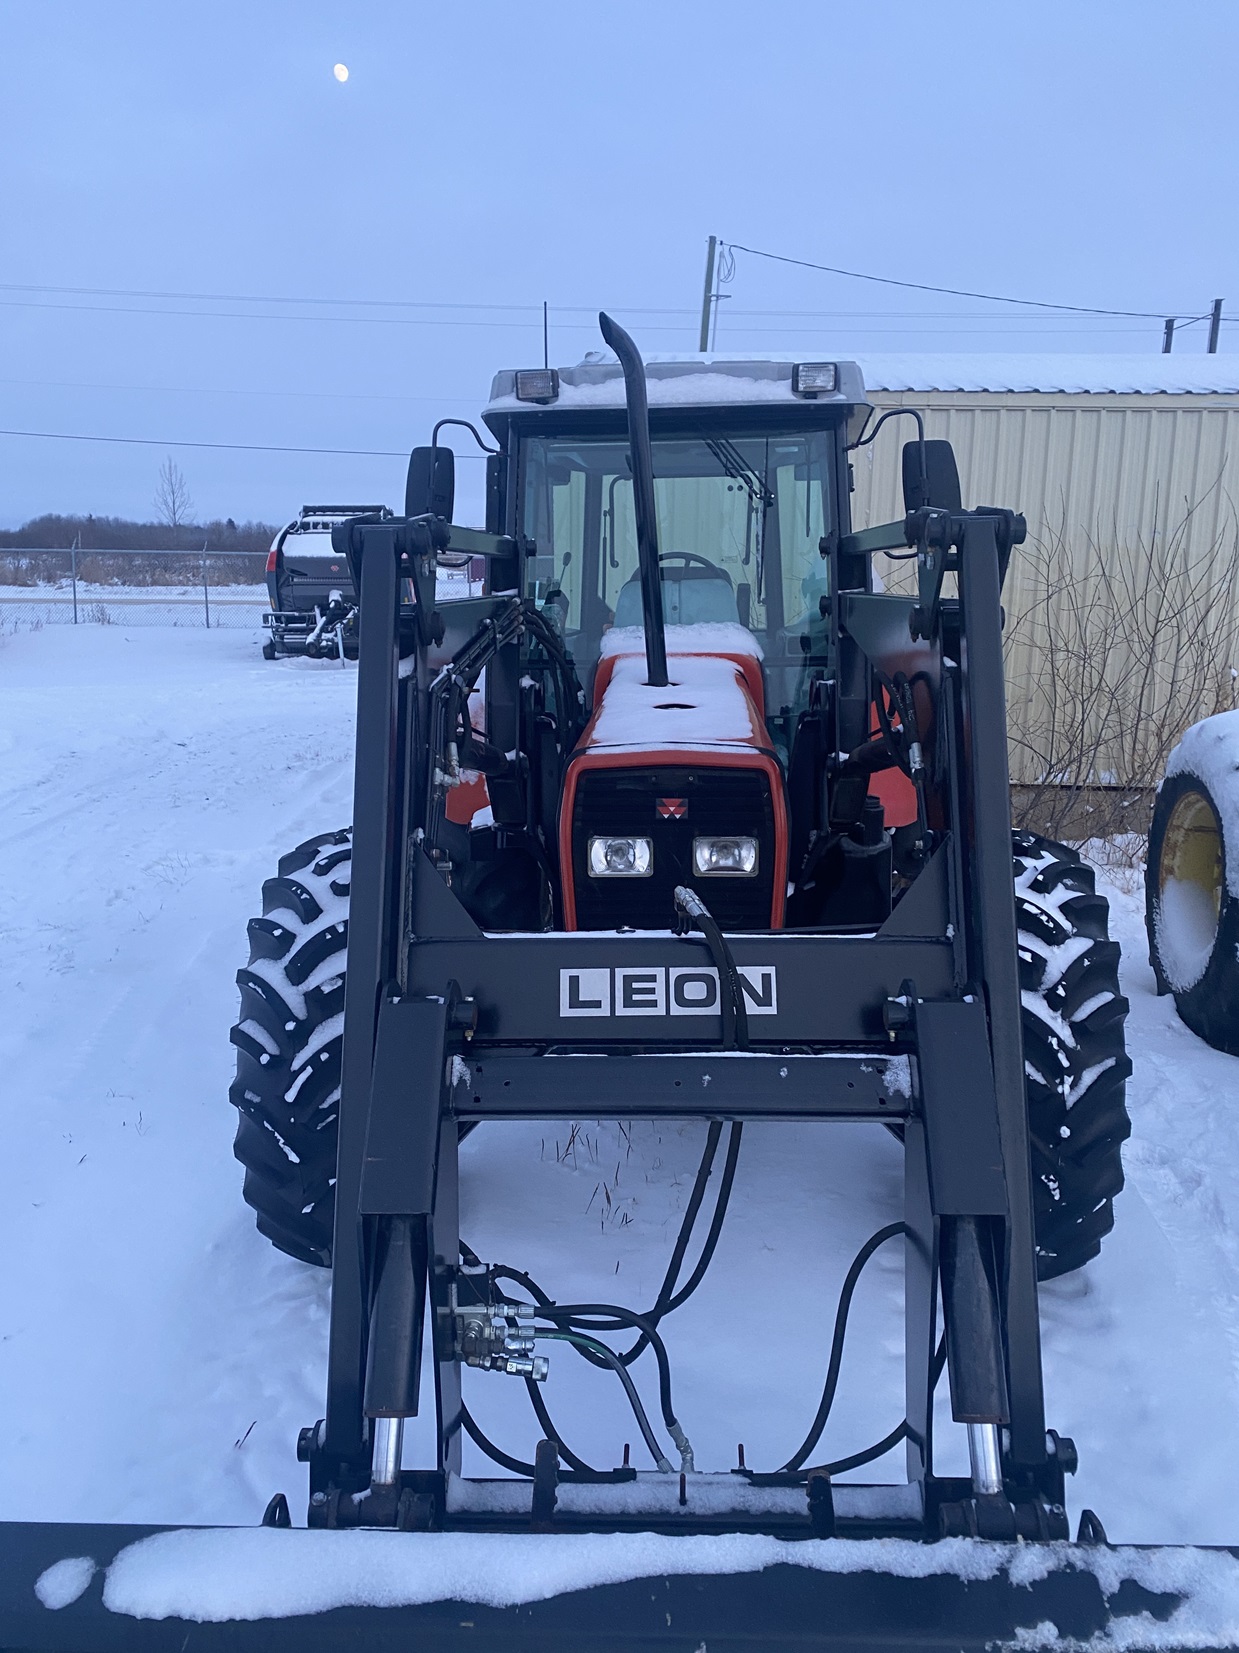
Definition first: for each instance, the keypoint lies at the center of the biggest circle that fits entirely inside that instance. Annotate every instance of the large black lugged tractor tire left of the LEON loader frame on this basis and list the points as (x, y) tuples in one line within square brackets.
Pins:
[(288, 1047)]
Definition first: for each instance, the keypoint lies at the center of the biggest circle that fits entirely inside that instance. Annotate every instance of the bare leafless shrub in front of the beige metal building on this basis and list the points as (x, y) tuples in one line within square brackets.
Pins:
[(1111, 657)]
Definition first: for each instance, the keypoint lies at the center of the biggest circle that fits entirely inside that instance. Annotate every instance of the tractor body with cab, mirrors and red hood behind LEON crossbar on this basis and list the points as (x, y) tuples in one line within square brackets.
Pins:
[(663, 697)]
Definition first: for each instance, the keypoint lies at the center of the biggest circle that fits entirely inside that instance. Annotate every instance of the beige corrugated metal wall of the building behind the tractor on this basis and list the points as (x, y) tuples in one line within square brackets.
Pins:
[(1108, 484)]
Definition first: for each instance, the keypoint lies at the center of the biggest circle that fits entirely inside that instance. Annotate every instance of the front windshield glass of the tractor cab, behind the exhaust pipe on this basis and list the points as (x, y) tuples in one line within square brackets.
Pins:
[(739, 522)]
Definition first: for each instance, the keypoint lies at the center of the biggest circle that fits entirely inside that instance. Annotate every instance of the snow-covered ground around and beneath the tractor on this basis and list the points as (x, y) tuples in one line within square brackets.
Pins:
[(158, 1358)]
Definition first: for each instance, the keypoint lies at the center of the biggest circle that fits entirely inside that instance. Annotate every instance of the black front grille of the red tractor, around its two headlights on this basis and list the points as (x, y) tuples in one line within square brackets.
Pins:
[(619, 803)]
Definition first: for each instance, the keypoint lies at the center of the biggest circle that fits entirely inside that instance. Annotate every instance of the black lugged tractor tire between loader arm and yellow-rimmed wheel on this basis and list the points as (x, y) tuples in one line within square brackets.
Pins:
[(1076, 1060)]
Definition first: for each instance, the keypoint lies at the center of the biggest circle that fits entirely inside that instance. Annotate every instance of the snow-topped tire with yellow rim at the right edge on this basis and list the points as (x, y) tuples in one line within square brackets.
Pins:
[(1190, 913)]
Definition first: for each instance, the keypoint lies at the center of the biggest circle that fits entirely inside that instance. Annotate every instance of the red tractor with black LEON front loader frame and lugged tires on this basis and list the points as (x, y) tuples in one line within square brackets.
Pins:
[(683, 784)]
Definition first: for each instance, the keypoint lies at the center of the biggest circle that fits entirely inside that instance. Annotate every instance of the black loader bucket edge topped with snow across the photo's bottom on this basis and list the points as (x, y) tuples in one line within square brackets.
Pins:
[(118, 1589)]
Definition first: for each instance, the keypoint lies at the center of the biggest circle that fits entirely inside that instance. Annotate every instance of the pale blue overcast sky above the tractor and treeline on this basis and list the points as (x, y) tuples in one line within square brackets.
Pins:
[(174, 179)]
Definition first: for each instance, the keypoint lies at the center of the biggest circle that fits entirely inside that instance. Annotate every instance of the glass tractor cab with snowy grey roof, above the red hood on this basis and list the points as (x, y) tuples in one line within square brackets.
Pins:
[(749, 464)]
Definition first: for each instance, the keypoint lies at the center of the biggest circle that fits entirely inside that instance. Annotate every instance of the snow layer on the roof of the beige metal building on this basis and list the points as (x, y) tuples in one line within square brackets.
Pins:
[(1111, 374)]
